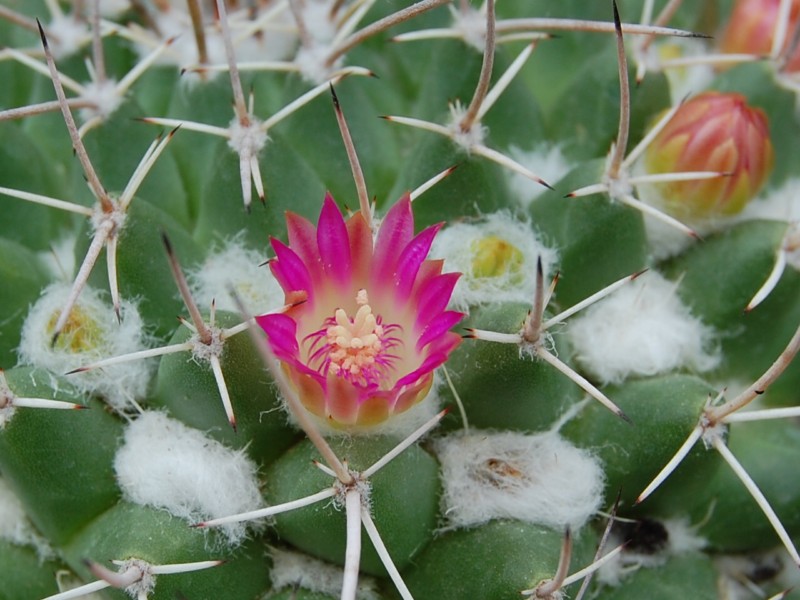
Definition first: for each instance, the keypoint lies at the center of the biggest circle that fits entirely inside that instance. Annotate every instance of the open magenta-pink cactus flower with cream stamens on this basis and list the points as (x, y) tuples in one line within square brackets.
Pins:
[(375, 324)]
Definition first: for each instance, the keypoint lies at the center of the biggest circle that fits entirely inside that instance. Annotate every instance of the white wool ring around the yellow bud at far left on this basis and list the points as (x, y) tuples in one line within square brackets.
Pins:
[(120, 384)]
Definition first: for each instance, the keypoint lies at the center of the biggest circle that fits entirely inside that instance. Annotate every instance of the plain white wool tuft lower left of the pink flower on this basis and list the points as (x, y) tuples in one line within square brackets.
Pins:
[(165, 464)]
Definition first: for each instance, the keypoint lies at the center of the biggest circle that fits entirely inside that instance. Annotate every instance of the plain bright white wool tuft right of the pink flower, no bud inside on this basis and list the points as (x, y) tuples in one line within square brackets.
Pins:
[(641, 329)]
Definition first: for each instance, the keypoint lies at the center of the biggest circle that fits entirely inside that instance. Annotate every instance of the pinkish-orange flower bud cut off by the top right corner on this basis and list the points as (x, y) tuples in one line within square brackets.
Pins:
[(751, 29)]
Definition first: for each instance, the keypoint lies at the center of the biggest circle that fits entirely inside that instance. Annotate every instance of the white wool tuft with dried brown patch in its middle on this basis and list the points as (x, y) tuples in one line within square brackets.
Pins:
[(536, 478)]
